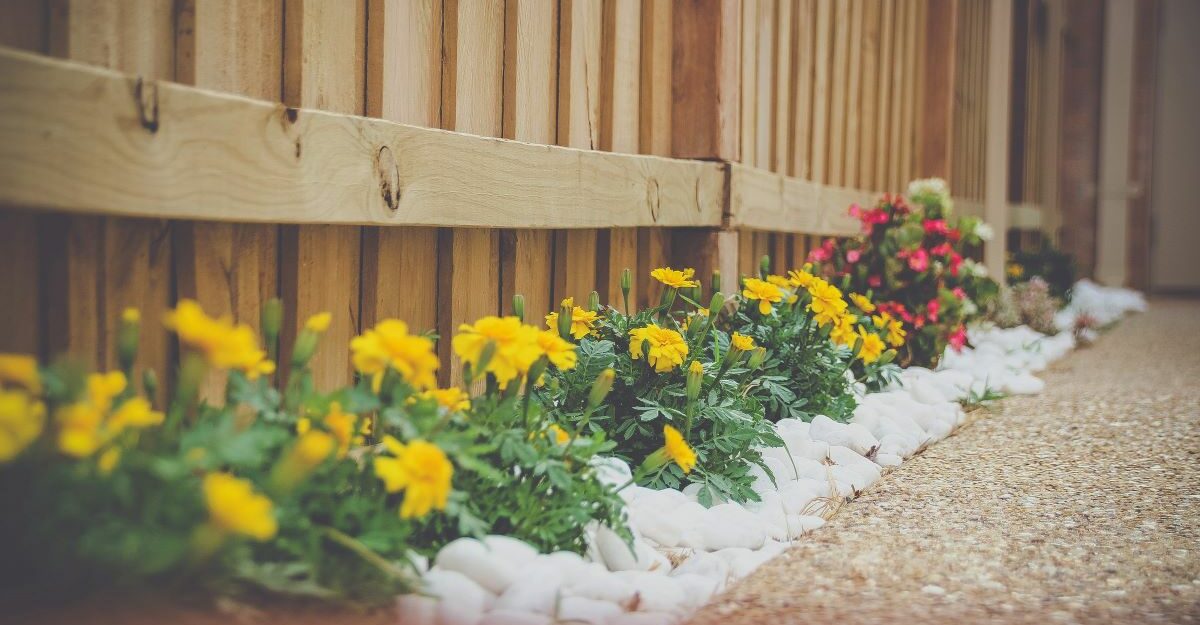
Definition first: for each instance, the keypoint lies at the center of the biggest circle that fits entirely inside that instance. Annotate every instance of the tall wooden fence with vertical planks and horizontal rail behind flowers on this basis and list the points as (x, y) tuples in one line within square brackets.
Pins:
[(585, 137)]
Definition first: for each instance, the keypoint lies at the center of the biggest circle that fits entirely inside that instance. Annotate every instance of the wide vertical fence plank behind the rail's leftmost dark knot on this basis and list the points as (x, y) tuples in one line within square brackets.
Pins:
[(110, 263)]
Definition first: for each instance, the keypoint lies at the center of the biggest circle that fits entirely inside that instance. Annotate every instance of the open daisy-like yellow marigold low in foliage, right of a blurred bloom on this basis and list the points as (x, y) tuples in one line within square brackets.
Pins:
[(421, 470)]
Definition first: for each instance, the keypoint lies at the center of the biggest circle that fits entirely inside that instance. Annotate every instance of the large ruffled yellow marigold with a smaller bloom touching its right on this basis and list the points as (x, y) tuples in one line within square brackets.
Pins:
[(517, 346)]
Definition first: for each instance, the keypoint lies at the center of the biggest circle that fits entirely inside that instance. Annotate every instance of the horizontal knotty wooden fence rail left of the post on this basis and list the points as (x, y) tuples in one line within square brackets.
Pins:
[(73, 142)]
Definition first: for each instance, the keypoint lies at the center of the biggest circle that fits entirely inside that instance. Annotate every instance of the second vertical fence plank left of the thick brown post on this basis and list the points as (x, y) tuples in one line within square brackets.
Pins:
[(617, 248)]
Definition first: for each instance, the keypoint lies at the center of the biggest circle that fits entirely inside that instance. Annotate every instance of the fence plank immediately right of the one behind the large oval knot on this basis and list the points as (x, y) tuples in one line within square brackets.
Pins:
[(472, 97)]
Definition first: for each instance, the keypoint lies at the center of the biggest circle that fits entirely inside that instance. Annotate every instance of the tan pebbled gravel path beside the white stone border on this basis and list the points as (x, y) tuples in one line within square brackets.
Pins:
[(1077, 506)]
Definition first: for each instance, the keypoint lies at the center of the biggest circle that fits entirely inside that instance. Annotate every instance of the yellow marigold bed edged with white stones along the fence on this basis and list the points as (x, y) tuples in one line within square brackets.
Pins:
[(607, 468)]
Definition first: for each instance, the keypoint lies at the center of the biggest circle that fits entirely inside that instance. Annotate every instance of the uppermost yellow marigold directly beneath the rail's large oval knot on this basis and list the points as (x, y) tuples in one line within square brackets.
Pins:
[(389, 345)]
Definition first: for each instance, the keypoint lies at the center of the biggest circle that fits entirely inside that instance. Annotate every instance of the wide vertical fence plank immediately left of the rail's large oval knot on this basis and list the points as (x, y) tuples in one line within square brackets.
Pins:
[(320, 266)]
